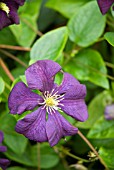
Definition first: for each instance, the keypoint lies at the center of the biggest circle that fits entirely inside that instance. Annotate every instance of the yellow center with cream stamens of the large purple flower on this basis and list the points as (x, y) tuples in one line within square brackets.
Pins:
[(52, 101)]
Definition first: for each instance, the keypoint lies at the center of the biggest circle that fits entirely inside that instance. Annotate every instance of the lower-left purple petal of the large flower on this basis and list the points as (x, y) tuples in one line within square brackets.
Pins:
[(33, 126)]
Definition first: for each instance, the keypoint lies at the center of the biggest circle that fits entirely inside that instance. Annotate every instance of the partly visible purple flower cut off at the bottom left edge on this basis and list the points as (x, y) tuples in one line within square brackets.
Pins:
[(3, 162)]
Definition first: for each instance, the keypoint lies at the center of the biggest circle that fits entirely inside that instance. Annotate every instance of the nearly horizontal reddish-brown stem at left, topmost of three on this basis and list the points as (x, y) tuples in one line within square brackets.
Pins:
[(14, 47)]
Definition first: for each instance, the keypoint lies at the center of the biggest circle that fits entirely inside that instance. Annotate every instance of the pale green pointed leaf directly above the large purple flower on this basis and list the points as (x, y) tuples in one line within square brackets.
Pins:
[(50, 45)]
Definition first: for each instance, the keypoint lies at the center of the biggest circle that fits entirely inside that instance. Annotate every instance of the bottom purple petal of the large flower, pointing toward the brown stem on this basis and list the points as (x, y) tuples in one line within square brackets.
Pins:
[(57, 127)]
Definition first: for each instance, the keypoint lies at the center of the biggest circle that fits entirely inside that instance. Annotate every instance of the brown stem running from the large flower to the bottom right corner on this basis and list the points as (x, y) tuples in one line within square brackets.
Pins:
[(93, 149)]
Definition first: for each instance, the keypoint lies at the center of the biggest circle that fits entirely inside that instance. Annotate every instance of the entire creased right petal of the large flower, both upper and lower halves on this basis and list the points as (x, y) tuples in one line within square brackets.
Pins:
[(74, 93)]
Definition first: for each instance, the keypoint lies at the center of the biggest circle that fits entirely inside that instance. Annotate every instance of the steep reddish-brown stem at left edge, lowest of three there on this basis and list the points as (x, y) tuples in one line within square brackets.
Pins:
[(3, 65)]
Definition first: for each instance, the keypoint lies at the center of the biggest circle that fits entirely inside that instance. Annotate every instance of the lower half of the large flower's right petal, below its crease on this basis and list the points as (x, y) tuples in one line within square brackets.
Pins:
[(75, 108)]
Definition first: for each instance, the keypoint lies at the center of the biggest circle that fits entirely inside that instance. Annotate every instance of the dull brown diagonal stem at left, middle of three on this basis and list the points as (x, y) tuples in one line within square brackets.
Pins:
[(13, 57)]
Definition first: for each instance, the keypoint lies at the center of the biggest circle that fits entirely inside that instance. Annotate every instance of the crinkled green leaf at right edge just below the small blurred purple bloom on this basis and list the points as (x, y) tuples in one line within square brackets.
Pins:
[(102, 129)]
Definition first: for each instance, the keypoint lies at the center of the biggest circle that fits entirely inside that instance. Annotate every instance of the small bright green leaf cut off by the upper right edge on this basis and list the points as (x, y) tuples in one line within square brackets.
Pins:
[(109, 36)]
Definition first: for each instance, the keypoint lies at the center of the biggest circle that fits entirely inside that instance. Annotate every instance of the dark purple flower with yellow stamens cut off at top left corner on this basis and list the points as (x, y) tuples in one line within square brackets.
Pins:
[(8, 12)]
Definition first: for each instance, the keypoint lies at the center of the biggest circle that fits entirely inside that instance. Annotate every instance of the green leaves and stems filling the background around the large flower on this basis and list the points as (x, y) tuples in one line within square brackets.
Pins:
[(76, 35)]
